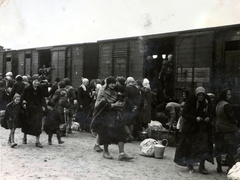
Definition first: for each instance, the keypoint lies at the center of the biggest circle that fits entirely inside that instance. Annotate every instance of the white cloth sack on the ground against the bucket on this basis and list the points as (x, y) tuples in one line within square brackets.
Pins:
[(147, 147)]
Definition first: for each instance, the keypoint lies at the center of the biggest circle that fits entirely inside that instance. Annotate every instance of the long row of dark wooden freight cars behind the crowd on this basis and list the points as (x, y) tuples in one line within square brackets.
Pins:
[(209, 57)]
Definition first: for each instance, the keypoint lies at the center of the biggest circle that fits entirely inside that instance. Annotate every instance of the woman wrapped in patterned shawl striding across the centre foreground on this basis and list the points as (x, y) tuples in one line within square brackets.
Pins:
[(107, 121)]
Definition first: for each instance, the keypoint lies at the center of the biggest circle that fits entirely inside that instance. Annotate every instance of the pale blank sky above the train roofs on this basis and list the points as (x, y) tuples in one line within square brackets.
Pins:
[(39, 23)]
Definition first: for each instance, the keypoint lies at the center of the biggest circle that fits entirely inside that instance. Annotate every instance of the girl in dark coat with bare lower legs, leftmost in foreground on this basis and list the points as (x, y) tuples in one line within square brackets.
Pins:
[(13, 117)]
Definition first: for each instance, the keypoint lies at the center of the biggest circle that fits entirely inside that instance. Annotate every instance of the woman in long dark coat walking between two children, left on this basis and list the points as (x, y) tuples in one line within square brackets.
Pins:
[(35, 105)]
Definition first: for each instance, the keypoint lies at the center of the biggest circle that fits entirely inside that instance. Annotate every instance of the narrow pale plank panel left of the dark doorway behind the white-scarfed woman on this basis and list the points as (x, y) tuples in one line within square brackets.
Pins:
[(77, 65)]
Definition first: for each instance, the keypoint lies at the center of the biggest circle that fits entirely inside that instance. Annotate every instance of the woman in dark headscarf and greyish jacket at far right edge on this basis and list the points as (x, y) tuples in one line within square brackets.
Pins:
[(226, 130)]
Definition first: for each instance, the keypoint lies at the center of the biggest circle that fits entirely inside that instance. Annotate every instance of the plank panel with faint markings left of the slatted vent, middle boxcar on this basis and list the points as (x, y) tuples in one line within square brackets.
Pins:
[(105, 59)]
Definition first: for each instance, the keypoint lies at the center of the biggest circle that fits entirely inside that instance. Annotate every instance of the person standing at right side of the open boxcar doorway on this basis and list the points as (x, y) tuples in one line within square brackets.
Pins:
[(167, 78)]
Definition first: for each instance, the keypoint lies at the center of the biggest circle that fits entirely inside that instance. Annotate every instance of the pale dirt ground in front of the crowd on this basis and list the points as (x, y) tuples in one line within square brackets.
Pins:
[(76, 159)]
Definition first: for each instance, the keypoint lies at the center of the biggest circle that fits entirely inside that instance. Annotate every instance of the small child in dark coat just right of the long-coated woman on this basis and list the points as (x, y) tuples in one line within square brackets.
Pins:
[(53, 120)]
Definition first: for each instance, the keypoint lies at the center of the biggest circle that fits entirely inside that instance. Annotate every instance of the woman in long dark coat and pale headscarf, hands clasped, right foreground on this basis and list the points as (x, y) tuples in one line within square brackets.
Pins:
[(196, 144)]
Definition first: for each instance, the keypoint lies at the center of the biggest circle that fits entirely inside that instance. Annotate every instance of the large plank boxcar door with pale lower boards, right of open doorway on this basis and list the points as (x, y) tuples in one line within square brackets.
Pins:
[(194, 59)]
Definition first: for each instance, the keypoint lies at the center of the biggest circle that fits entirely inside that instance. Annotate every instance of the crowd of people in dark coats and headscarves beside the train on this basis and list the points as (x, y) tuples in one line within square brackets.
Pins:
[(118, 110)]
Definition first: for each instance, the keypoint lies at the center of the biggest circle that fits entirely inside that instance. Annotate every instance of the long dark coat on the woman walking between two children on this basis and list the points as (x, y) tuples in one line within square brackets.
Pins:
[(32, 123)]
